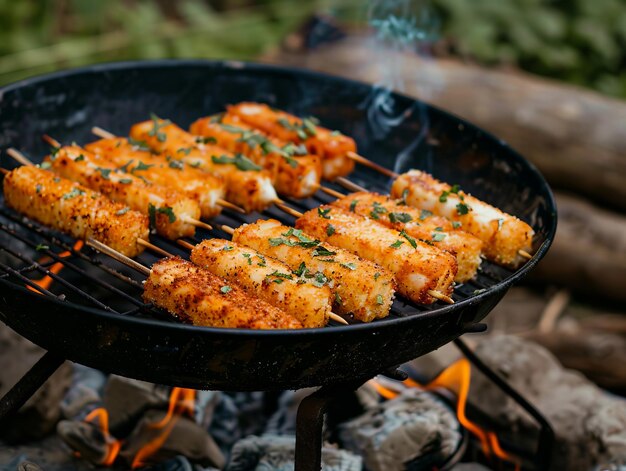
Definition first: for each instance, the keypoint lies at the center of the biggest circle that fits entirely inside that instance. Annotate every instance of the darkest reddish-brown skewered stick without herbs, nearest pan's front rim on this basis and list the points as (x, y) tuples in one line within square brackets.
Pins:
[(197, 296)]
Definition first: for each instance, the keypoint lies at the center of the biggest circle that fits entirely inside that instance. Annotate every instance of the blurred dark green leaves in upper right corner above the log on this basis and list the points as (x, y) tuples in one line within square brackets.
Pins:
[(579, 41)]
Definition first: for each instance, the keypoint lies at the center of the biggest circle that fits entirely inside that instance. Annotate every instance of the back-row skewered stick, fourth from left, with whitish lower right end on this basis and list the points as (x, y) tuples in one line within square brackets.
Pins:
[(247, 184)]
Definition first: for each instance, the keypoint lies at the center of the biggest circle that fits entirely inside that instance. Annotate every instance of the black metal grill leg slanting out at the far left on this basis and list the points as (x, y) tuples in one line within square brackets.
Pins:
[(29, 384)]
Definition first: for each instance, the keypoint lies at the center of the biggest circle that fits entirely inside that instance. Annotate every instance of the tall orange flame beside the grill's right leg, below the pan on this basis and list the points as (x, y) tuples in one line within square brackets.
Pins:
[(457, 378)]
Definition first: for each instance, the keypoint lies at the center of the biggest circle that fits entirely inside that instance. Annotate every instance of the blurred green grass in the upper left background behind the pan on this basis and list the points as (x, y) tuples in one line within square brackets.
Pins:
[(38, 36)]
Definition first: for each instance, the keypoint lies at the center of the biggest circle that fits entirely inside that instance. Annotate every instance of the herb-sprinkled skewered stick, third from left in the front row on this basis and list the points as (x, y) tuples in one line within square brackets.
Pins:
[(359, 286)]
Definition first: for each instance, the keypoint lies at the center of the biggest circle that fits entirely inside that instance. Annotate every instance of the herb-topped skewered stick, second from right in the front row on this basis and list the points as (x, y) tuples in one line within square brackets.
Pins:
[(421, 225)]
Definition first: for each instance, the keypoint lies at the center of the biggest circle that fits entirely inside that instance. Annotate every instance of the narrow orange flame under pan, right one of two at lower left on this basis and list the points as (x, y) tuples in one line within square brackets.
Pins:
[(181, 401)]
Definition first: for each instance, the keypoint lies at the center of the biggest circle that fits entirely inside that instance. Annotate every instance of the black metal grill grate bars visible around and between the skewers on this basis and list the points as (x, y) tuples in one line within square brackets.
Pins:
[(94, 280)]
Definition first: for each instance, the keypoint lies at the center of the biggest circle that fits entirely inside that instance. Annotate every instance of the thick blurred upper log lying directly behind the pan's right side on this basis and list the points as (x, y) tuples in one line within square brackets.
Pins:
[(576, 137)]
